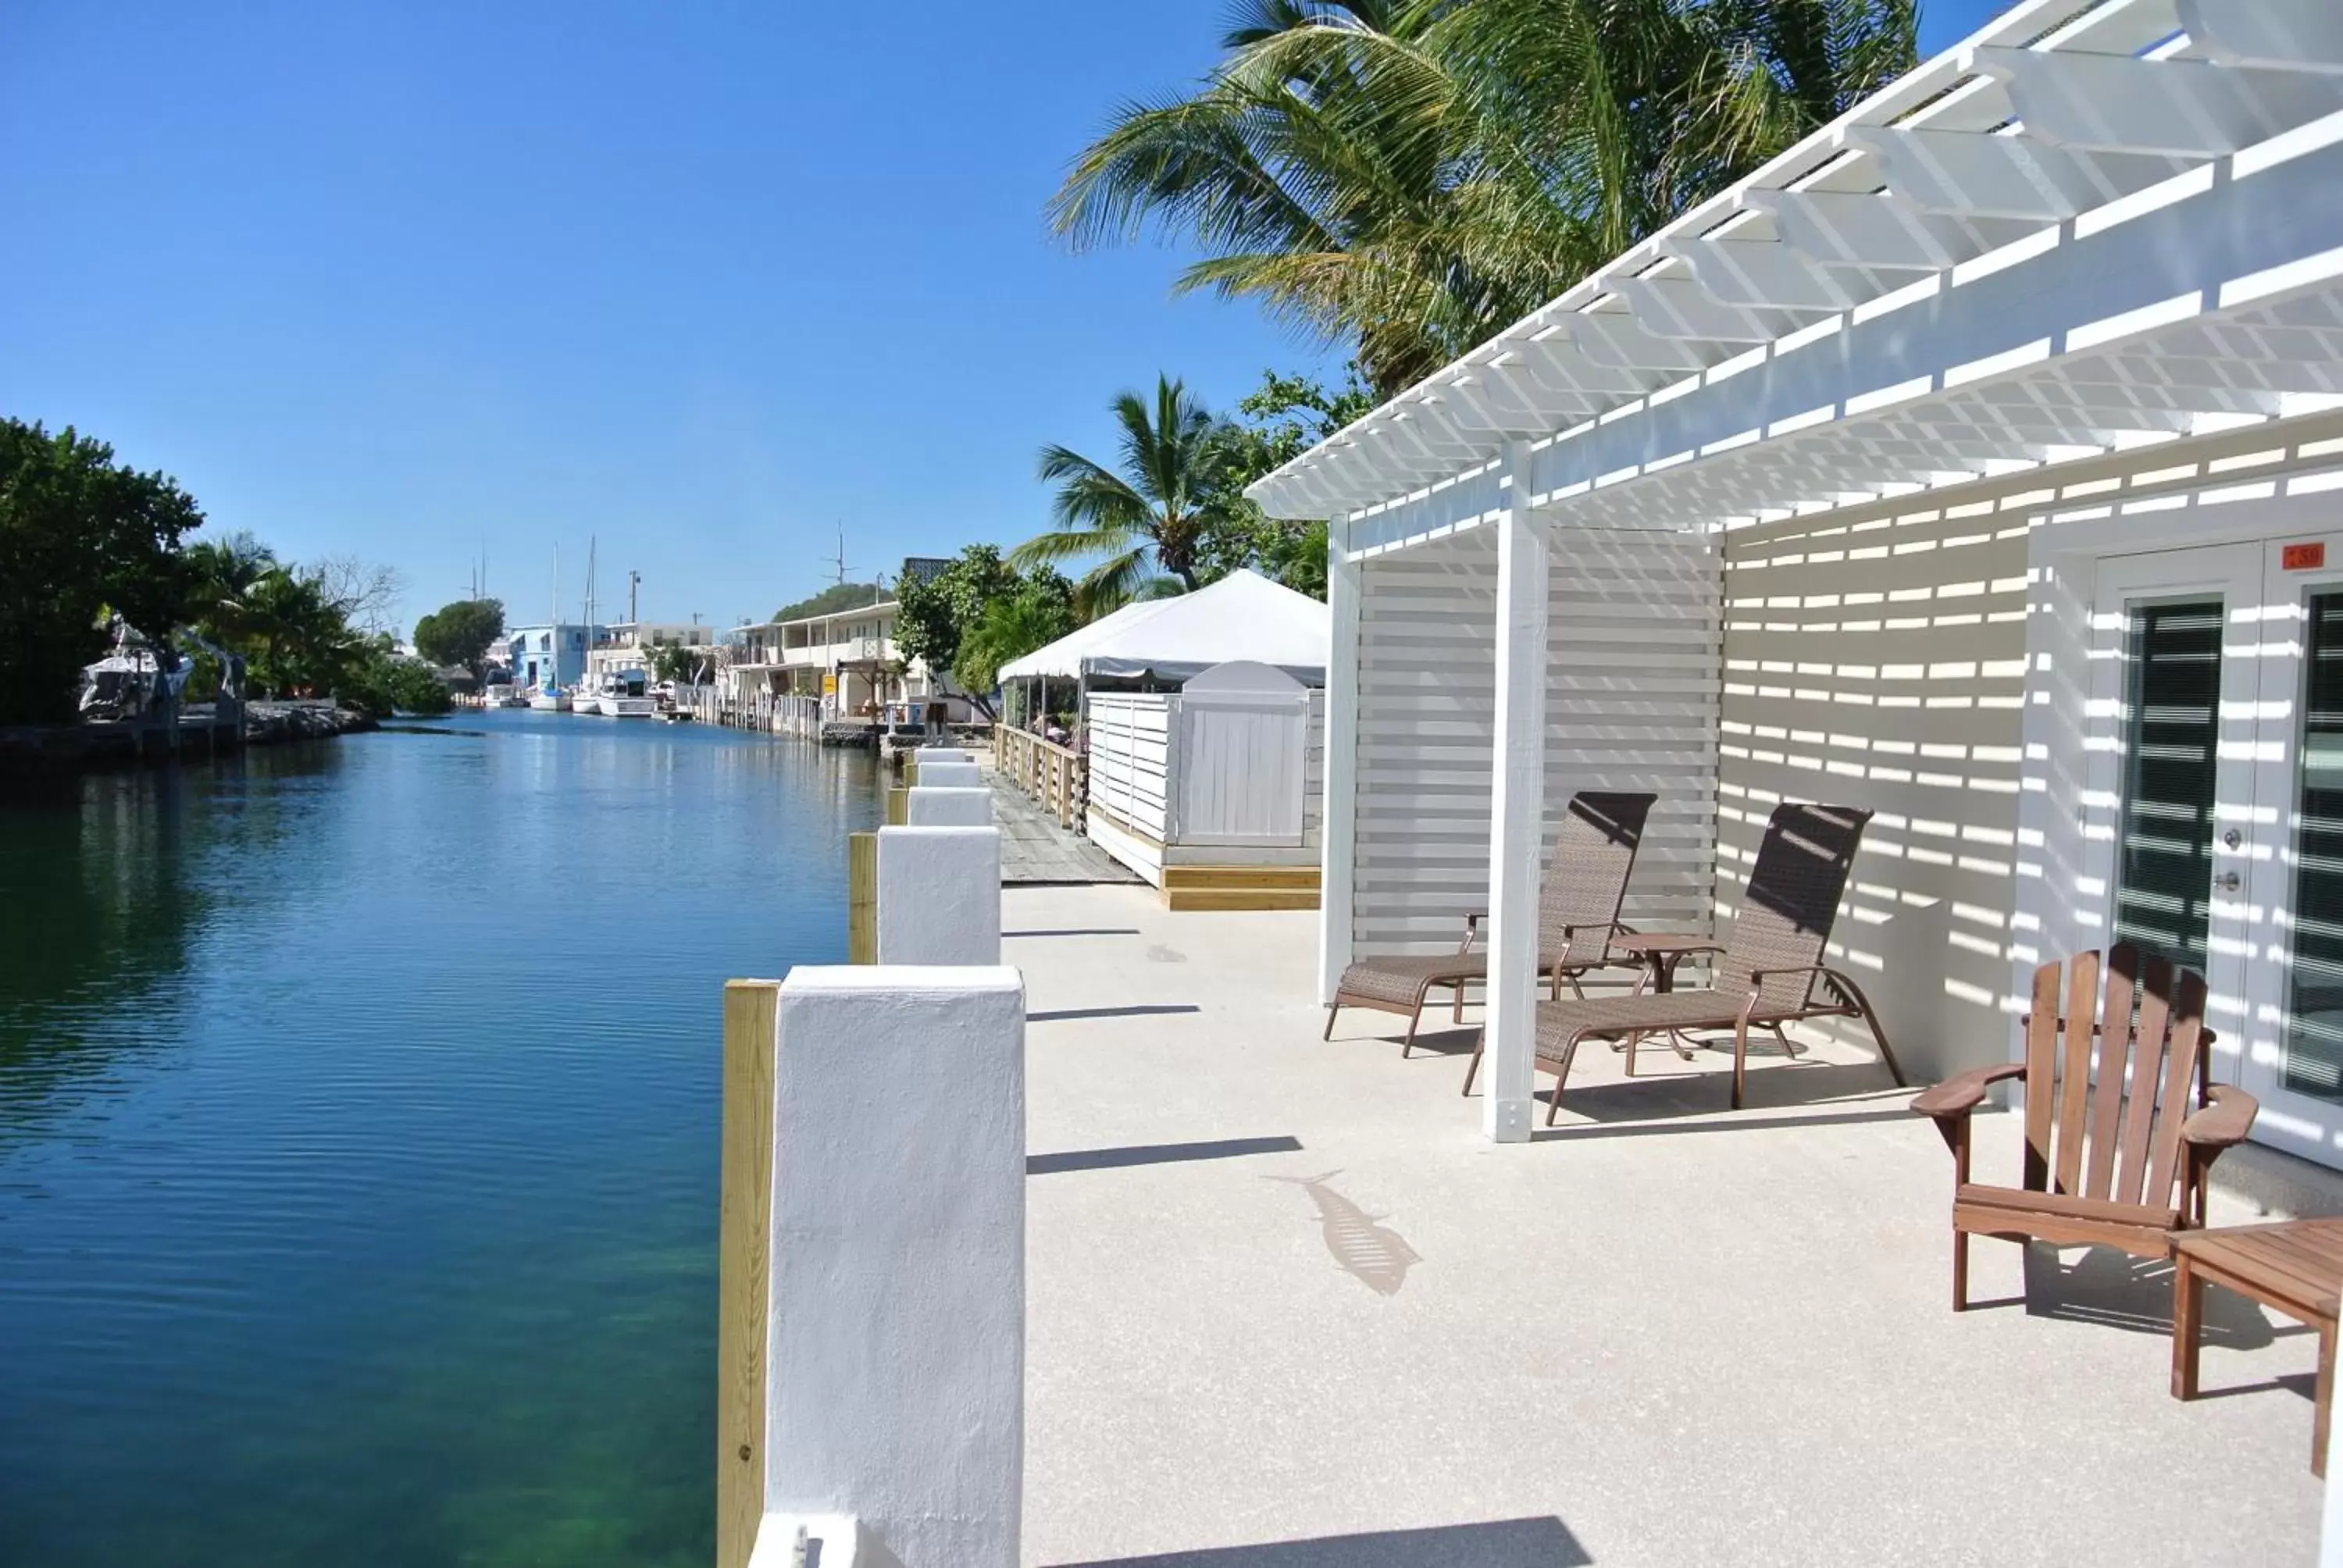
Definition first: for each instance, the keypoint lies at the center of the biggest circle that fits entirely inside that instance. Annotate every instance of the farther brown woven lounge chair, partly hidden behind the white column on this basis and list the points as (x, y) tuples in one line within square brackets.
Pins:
[(1578, 911)]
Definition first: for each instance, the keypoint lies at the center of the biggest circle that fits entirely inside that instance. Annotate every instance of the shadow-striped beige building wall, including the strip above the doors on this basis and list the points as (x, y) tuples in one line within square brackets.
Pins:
[(1880, 657)]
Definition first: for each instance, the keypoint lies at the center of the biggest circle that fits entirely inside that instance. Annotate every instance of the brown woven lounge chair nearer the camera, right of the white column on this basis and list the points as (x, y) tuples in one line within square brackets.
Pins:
[(1770, 972)]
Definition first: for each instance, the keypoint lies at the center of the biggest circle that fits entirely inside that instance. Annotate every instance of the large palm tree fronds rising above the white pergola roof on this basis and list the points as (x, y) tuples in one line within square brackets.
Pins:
[(1419, 175)]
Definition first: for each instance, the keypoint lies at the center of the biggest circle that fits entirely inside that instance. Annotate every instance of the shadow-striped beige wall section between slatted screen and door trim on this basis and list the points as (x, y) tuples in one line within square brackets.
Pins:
[(1880, 664)]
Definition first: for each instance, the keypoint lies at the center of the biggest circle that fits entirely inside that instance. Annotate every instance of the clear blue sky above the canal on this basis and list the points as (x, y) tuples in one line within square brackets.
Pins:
[(702, 280)]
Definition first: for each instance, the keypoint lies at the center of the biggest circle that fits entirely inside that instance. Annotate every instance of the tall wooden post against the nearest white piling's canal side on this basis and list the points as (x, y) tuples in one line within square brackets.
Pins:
[(744, 1262)]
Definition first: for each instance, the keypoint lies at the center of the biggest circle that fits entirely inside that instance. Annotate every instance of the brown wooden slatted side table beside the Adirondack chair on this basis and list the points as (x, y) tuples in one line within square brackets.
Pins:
[(2295, 1269)]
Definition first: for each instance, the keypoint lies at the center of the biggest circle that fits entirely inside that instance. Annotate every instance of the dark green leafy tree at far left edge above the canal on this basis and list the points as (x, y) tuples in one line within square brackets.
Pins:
[(81, 538)]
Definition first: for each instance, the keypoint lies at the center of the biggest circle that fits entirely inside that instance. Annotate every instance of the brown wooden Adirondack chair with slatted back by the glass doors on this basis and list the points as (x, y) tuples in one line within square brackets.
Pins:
[(2171, 1129)]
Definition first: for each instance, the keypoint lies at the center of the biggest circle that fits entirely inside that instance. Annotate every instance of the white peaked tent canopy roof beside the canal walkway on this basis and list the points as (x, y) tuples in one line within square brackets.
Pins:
[(1238, 618)]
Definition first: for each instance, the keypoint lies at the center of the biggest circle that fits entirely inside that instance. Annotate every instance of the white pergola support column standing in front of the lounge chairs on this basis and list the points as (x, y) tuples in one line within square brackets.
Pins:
[(1517, 810)]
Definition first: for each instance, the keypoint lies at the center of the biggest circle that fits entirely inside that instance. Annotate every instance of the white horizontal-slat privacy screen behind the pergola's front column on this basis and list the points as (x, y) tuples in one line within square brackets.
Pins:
[(1632, 707)]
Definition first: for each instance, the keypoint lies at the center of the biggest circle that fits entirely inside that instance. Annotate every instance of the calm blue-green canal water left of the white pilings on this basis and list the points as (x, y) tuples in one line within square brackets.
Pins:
[(360, 1124)]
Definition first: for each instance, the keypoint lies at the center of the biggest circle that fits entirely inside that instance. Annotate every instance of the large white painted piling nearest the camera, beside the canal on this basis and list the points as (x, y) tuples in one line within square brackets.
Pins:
[(896, 1316)]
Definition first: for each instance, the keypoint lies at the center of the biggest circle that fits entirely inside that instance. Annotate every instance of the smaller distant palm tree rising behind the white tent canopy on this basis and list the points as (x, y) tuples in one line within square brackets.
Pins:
[(1145, 517)]
